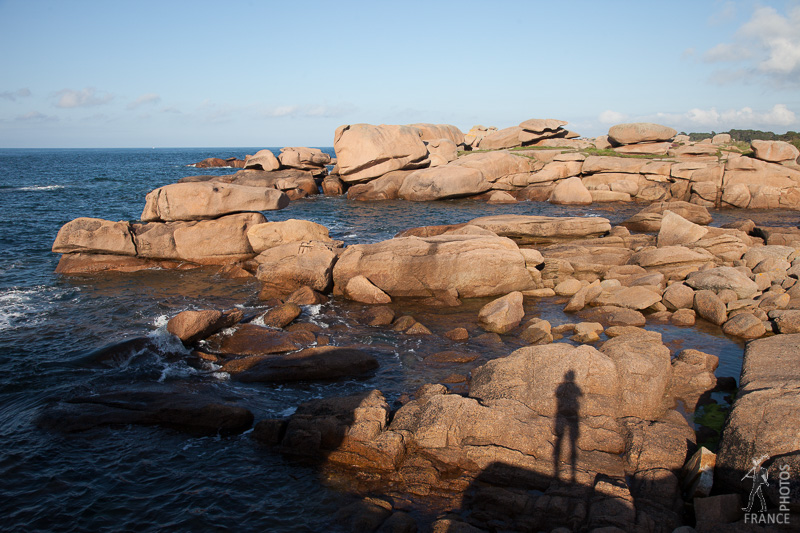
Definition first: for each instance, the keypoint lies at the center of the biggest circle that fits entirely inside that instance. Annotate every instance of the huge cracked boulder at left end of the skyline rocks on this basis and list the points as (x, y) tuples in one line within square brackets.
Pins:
[(364, 151)]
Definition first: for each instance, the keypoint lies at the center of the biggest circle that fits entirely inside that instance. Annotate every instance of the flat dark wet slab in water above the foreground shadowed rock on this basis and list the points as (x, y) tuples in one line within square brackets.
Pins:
[(318, 363)]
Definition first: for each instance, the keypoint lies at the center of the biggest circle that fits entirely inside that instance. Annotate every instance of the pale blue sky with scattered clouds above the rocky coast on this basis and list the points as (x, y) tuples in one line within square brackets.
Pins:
[(81, 74)]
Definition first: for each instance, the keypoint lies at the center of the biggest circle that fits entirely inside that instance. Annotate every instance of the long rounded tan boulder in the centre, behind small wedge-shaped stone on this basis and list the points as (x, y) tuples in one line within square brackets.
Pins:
[(473, 265)]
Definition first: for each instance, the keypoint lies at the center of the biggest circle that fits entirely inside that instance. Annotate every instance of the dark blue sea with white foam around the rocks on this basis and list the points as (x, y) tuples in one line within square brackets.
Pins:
[(135, 478)]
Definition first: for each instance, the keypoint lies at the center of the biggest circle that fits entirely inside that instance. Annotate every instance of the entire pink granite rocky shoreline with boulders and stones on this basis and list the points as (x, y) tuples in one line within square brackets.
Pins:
[(586, 435)]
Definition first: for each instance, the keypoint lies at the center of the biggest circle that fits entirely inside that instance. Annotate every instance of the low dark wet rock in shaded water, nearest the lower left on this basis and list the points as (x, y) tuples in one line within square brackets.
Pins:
[(197, 414)]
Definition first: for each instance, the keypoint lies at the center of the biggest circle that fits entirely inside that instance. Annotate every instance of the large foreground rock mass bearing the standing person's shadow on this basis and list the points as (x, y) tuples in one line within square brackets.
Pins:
[(548, 436)]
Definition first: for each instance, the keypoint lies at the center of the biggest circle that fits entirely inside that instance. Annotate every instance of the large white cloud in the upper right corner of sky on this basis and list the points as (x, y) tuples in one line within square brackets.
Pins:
[(767, 44)]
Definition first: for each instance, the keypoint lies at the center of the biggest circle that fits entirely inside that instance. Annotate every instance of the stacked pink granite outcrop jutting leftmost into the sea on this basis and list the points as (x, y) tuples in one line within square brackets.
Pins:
[(183, 225)]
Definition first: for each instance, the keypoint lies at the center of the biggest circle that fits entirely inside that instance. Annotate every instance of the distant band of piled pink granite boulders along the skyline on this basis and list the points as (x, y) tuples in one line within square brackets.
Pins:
[(410, 162)]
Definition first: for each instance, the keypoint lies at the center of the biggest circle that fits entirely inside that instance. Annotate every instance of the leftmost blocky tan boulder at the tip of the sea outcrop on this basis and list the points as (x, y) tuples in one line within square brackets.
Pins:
[(95, 235)]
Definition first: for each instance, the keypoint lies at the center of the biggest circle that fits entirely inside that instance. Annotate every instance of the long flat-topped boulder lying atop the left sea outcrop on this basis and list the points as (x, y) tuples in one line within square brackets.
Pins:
[(203, 200)]
